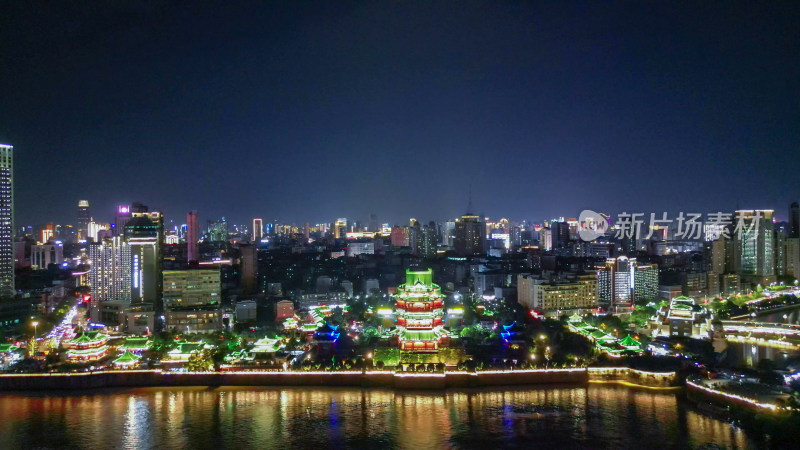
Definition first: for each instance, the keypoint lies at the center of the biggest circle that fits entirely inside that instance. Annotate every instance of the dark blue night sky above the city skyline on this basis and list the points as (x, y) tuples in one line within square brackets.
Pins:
[(304, 111)]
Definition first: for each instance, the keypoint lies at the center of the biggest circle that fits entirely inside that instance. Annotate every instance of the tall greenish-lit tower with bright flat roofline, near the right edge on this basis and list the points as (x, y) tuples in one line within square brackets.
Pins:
[(754, 246)]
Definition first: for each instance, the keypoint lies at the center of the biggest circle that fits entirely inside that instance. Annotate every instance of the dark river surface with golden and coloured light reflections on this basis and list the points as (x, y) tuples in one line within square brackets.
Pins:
[(597, 416)]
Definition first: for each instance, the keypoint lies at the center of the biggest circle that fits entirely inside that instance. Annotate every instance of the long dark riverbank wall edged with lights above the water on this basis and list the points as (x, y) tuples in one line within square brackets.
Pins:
[(388, 379)]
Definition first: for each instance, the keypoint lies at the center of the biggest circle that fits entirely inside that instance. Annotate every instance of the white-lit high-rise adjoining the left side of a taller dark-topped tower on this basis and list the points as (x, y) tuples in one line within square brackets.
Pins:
[(110, 274)]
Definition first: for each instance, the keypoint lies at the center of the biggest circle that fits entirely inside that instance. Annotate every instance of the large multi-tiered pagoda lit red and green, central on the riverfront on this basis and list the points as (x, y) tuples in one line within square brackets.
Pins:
[(420, 313)]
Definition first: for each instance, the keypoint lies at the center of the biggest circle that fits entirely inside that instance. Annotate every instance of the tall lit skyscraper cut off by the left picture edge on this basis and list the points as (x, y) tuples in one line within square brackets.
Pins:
[(6, 220)]
